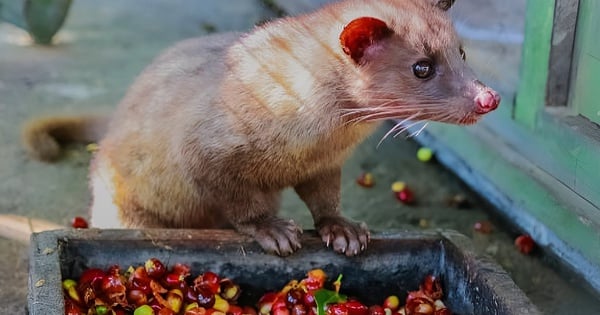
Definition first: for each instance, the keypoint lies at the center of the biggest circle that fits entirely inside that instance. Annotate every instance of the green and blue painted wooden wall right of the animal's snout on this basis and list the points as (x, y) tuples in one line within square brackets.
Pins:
[(541, 164)]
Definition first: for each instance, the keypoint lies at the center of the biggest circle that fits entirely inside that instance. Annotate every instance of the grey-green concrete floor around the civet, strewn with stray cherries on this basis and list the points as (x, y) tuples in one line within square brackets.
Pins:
[(105, 44)]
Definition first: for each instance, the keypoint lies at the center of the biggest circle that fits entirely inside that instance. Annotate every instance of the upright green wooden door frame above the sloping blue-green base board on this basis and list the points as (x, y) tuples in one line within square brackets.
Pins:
[(563, 140)]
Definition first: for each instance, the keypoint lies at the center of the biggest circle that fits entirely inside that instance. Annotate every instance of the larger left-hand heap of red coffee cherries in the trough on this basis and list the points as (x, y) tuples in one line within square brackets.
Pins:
[(151, 289)]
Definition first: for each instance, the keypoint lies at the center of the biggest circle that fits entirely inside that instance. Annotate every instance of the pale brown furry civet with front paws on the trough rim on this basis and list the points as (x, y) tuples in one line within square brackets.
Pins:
[(216, 127)]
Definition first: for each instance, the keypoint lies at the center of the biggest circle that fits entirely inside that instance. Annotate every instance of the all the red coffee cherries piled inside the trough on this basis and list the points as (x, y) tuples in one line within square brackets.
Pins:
[(154, 289)]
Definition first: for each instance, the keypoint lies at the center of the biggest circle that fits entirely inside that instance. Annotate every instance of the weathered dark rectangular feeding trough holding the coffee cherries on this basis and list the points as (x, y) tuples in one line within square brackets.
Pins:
[(394, 263)]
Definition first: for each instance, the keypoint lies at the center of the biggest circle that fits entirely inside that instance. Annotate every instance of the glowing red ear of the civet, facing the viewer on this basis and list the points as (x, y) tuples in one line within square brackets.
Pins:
[(360, 34)]
